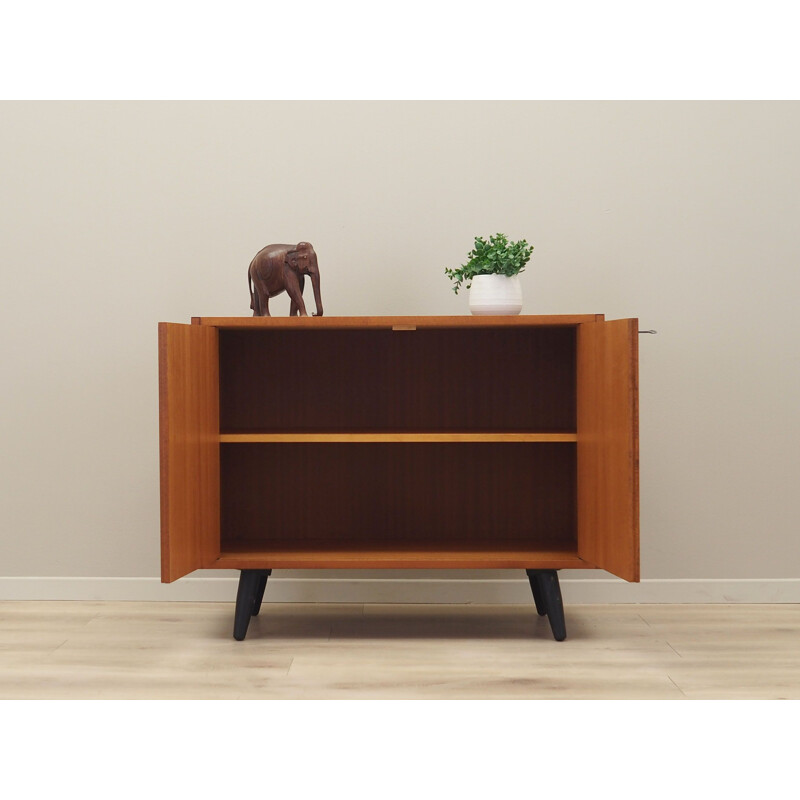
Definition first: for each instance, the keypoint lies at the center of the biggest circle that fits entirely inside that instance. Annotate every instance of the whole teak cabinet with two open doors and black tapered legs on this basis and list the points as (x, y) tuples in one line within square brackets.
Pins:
[(399, 442)]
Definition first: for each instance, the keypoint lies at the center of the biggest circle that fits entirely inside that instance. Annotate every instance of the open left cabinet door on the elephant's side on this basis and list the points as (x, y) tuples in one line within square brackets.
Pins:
[(188, 371)]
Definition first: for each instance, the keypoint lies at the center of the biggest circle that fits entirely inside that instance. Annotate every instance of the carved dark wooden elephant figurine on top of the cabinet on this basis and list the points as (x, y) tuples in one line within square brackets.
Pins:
[(283, 267)]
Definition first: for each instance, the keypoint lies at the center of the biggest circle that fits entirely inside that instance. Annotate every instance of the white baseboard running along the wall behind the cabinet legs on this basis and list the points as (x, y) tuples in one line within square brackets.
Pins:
[(398, 590)]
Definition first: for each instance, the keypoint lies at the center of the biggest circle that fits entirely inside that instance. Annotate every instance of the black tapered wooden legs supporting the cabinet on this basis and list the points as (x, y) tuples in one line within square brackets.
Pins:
[(544, 585)]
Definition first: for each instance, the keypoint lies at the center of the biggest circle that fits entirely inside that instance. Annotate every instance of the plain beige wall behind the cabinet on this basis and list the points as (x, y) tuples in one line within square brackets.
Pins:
[(117, 215)]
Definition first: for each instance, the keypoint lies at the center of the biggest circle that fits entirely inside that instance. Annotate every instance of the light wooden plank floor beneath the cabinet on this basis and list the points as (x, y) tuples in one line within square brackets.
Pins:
[(85, 650)]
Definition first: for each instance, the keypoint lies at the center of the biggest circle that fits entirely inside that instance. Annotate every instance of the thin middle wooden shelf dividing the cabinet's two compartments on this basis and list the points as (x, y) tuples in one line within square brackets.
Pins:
[(352, 438)]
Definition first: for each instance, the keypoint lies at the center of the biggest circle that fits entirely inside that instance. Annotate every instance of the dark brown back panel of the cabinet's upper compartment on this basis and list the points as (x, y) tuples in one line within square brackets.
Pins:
[(514, 379)]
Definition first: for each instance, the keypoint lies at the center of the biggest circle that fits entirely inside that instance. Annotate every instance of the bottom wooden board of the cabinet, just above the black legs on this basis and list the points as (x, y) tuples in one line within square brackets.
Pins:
[(261, 557)]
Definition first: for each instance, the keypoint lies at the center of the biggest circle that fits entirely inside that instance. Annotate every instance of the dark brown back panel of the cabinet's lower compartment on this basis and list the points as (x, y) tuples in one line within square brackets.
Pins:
[(411, 495)]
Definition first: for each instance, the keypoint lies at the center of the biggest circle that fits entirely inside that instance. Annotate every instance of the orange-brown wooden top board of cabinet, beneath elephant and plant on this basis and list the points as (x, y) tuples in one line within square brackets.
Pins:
[(399, 323)]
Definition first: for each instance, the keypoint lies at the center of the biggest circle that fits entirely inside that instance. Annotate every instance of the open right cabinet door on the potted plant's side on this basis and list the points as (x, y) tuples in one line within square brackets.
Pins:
[(608, 446)]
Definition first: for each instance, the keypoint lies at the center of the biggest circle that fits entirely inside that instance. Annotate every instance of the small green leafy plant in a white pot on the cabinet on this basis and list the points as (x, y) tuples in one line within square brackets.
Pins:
[(492, 275)]
